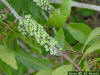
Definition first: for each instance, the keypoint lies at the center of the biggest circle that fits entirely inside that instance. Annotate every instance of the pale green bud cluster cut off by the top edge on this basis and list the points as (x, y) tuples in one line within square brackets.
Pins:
[(44, 4)]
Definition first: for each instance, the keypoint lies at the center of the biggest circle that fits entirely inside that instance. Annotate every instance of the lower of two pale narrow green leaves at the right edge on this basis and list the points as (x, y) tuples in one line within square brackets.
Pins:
[(95, 46)]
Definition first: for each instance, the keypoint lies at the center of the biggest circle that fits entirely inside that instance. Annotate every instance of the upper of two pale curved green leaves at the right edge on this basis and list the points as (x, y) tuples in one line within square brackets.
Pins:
[(94, 34)]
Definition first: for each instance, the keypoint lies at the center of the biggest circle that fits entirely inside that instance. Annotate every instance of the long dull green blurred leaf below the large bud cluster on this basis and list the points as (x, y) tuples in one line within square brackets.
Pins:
[(37, 63)]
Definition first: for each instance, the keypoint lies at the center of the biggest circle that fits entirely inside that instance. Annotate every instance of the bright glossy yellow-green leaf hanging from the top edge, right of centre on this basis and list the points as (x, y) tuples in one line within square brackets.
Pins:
[(59, 16)]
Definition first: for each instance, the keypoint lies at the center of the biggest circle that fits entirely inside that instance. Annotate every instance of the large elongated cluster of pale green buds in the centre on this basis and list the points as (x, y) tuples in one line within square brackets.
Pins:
[(30, 27)]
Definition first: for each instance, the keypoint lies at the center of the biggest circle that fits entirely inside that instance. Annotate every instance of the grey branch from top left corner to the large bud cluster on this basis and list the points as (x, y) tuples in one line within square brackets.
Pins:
[(11, 9)]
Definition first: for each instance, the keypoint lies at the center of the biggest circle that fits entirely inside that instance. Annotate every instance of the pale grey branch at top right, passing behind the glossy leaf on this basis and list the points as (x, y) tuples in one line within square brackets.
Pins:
[(79, 5)]
